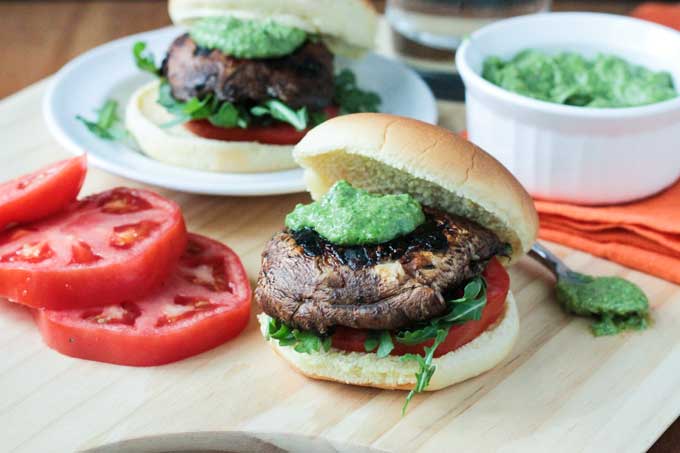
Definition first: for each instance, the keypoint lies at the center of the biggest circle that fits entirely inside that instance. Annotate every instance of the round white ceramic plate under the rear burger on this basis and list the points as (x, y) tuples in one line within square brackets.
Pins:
[(108, 71)]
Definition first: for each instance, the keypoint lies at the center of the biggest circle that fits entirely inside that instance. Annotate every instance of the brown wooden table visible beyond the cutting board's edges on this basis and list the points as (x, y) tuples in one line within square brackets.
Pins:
[(39, 37)]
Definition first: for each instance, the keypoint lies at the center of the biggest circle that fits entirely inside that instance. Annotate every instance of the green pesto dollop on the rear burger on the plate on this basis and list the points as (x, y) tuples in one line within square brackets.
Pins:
[(243, 38)]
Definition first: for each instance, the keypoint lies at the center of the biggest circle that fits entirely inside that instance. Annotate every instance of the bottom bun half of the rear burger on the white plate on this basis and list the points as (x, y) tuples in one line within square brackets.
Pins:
[(177, 146)]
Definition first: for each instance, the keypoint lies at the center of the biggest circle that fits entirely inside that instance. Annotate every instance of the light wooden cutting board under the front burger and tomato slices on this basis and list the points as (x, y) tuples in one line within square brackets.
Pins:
[(559, 390)]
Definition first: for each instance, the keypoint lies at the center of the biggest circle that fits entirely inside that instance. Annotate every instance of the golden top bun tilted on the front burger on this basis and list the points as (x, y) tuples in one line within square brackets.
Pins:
[(391, 154)]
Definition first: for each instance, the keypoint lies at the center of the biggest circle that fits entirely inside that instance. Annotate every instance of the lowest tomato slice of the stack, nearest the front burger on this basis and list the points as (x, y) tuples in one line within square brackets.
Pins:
[(205, 302)]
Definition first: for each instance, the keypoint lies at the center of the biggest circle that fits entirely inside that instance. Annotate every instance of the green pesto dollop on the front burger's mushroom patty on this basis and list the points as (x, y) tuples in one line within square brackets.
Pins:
[(349, 216)]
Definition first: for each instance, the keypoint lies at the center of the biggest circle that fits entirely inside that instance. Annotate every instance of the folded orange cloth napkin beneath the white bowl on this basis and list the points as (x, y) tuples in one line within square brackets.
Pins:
[(643, 235)]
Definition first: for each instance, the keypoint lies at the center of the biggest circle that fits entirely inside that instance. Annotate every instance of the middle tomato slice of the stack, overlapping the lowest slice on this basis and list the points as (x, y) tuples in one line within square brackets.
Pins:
[(108, 247)]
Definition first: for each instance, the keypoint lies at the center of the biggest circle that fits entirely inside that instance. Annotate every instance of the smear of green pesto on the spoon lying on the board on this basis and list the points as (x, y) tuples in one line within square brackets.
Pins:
[(615, 304)]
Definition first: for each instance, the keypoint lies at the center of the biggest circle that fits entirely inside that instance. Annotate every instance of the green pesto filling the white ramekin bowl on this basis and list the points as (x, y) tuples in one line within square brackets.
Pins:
[(569, 78)]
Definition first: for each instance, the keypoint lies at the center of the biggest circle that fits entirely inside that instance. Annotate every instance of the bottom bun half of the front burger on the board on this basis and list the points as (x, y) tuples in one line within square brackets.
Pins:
[(366, 369)]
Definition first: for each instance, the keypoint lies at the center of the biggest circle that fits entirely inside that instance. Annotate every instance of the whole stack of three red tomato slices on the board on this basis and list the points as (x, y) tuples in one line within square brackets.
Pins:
[(115, 277)]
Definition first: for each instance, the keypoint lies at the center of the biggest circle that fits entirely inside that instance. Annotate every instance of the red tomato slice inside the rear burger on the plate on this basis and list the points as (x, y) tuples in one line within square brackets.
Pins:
[(274, 134)]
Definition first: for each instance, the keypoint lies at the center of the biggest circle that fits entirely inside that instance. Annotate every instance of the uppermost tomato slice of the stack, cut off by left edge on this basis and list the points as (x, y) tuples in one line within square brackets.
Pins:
[(43, 193)]
